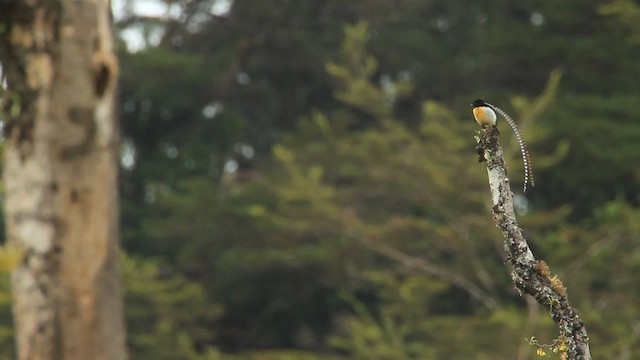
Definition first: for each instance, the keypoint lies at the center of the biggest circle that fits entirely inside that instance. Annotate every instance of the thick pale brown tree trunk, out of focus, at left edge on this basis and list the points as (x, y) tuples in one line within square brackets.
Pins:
[(60, 177)]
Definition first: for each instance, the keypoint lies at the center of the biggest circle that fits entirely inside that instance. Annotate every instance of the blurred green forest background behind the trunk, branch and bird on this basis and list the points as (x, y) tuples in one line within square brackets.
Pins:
[(299, 177)]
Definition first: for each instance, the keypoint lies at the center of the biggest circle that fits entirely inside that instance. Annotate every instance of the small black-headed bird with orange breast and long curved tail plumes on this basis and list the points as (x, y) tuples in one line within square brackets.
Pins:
[(485, 115)]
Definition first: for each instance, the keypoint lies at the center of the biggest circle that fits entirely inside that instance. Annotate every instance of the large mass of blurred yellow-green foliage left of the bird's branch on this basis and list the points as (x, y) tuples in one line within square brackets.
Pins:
[(309, 228)]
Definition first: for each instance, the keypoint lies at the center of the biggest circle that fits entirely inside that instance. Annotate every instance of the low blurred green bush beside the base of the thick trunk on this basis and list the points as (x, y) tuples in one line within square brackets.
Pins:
[(167, 315)]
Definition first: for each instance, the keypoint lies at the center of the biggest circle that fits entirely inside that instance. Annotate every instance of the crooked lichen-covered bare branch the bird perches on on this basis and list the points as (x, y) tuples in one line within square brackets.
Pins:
[(529, 275)]
